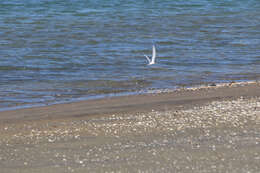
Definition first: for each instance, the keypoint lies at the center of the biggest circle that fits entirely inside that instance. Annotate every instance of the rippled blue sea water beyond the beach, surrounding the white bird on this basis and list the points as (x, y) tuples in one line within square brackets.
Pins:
[(62, 50)]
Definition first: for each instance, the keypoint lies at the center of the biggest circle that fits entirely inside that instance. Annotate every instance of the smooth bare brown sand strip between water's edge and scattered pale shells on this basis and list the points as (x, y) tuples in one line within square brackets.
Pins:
[(154, 100)]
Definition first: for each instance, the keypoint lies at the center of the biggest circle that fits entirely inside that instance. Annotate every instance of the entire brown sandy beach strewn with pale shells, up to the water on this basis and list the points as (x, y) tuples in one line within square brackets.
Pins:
[(203, 129)]
